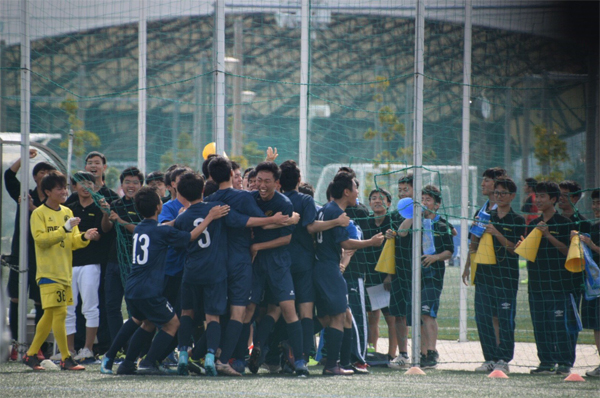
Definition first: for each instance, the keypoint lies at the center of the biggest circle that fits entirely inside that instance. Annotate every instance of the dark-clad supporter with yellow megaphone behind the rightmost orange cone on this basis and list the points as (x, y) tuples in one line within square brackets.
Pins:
[(553, 290)]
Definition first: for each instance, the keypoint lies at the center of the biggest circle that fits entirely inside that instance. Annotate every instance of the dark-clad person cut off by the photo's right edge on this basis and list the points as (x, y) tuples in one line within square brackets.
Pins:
[(590, 309)]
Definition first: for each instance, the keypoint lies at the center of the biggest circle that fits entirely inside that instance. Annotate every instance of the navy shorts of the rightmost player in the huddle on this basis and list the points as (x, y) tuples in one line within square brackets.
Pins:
[(331, 290)]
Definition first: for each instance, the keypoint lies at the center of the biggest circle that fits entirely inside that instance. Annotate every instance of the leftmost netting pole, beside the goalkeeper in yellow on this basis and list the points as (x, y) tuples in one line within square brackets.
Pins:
[(24, 215)]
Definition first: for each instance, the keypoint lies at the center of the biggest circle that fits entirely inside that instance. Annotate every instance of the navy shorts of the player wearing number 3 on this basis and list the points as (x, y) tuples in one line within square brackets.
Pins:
[(213, 297)]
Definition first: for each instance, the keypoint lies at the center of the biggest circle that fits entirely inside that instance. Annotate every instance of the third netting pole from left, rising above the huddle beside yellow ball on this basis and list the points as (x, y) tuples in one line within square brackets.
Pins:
[(219, 70)]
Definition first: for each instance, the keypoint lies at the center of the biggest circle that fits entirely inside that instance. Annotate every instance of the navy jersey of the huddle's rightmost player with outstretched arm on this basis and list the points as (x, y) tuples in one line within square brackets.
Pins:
[(328, 242)]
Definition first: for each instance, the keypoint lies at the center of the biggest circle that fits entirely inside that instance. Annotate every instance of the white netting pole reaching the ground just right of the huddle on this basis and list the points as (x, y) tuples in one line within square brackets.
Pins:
[(418, 183)]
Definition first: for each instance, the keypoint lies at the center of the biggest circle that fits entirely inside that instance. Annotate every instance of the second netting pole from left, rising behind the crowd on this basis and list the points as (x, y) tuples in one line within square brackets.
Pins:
[(142, 49)]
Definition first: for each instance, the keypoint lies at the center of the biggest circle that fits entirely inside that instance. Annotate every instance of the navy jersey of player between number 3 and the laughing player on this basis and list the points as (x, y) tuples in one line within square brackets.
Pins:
[(239, 239)]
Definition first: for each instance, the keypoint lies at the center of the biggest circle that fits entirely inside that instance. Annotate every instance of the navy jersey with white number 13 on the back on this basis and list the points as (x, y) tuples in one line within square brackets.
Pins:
[(150, 242)]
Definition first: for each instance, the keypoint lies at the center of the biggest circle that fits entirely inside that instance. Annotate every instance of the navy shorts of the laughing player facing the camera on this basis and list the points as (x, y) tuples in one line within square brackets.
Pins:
[(272, 269)]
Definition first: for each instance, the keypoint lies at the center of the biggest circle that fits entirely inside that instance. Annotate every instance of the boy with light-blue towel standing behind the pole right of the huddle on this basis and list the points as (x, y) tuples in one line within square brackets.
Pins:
[(437, 247)]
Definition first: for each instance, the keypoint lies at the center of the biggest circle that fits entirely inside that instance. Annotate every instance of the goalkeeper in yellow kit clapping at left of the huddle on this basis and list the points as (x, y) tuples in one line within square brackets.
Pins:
[(56, 235)]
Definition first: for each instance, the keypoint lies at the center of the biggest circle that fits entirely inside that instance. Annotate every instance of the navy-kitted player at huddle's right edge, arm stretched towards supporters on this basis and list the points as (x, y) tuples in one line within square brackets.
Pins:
[(330, 286)]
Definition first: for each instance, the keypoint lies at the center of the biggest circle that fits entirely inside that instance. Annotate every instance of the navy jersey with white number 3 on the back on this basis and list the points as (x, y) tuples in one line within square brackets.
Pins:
[(207, 256)]
